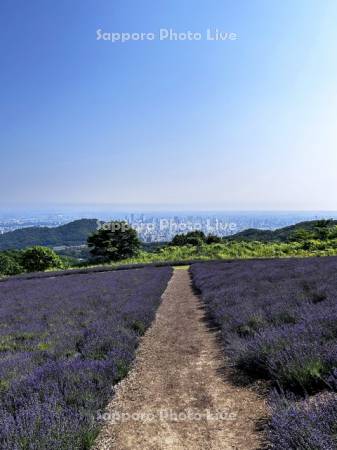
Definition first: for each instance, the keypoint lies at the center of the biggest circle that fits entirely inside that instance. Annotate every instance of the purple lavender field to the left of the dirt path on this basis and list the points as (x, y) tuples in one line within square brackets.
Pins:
[(63, 343)]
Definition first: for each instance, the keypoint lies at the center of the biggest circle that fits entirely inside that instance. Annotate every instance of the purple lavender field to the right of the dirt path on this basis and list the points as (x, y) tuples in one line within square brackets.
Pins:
[(278, 320)]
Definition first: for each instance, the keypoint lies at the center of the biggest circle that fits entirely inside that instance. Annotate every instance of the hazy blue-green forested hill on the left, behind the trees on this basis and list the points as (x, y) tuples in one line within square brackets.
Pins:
[(73, 233)]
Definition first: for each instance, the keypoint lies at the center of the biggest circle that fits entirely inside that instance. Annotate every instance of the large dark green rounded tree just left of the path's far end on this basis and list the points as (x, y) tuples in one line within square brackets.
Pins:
[(114, 241)]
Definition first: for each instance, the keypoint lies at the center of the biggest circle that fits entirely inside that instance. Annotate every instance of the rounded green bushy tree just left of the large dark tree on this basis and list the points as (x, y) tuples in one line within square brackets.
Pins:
[(36, 259)]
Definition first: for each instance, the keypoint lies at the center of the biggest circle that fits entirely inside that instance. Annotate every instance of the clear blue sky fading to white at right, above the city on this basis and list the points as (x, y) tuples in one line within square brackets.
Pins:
[(244, 124)]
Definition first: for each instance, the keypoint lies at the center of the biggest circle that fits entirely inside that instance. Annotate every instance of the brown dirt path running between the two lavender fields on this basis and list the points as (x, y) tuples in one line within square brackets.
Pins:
[(177, 397)]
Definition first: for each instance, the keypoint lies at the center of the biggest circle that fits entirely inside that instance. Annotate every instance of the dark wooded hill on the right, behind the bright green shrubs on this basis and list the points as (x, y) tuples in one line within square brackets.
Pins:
[(284, 234)]
